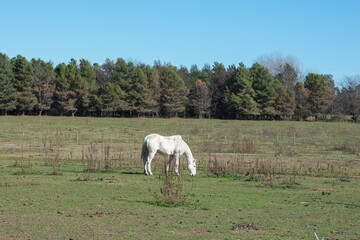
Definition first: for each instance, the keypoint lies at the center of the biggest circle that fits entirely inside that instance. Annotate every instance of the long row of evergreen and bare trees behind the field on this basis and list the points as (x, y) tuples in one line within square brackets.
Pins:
[(121, 88)]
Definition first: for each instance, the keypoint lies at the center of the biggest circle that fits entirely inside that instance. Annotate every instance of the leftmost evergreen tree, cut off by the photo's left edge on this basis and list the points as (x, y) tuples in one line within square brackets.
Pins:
[(7, 91)]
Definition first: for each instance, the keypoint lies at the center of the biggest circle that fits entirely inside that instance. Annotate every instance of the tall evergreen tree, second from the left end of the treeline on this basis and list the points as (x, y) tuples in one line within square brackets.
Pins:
[(23, 83)]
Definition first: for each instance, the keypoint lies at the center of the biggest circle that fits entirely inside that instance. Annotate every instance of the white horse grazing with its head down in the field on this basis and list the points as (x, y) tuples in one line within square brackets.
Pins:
[(172, 146)]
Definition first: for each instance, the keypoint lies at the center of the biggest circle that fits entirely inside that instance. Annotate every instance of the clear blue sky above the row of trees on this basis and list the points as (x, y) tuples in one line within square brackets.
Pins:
[(324, 35)]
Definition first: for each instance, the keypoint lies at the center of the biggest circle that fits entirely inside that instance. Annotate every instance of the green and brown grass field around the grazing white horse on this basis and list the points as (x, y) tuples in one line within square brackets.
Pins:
[(82, 178)]
